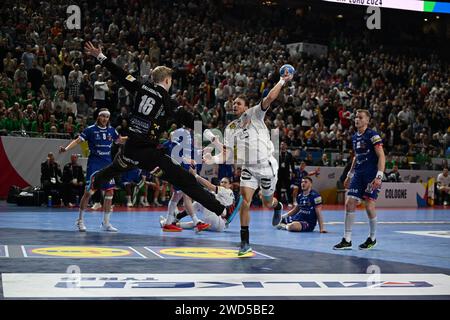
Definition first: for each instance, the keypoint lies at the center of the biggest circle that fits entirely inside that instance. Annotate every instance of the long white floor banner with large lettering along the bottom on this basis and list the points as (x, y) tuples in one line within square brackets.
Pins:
[(51, 285)]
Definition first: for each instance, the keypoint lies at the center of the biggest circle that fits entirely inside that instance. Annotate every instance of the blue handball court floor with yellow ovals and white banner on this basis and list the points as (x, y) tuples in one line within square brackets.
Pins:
[(42, 256)]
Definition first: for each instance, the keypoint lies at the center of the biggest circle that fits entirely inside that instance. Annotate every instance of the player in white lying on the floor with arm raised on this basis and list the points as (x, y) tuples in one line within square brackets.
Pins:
[(223, 194)]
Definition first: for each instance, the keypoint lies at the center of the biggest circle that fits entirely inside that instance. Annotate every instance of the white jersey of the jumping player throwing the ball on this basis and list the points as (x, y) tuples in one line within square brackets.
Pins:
[(251, 137)]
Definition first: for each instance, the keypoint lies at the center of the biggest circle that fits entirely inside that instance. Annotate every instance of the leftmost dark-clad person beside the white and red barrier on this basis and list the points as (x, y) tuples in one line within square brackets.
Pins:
[(50, 178)]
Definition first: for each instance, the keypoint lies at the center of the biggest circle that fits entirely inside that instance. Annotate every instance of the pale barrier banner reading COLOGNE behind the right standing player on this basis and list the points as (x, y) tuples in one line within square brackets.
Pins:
[(401, 195)]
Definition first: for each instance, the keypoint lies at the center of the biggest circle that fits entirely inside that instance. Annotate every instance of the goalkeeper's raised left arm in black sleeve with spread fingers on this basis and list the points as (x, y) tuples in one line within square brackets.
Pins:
[(127, 80)]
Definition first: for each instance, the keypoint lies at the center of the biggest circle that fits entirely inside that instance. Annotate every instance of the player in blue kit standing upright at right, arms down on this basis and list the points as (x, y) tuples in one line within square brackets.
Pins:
[(363, 180)]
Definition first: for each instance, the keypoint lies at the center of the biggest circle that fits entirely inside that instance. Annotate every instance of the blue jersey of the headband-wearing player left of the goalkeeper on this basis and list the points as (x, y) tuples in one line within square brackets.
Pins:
[(100, 141)]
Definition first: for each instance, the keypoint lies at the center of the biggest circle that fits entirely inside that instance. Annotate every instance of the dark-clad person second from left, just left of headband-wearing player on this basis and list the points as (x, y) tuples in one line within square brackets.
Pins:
[(72, 182)]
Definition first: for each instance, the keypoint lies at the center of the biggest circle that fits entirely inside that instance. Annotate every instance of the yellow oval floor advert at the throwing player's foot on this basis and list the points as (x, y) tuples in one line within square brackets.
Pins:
[(202, 253)]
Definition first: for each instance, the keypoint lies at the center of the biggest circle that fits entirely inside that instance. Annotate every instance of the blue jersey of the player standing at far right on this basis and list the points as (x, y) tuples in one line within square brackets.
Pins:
[(364, 148)]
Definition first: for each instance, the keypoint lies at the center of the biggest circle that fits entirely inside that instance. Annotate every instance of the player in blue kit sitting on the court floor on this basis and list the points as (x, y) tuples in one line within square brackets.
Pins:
[(305, 215)]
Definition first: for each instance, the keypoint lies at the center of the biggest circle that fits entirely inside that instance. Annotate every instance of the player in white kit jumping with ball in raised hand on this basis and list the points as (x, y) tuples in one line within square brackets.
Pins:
[(255, 149)]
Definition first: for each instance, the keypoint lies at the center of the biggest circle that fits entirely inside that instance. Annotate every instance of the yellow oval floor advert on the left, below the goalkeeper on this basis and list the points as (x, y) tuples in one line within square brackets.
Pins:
[(80, 252)]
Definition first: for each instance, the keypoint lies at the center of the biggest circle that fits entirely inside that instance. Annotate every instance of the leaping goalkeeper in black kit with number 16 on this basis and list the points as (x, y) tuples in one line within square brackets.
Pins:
[(148, 119)]
